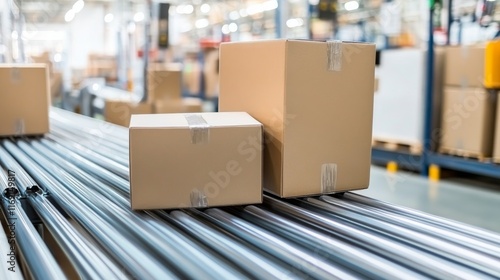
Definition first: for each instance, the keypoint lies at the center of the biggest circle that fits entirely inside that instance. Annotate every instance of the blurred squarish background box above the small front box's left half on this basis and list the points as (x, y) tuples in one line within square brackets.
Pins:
[(164, 83)]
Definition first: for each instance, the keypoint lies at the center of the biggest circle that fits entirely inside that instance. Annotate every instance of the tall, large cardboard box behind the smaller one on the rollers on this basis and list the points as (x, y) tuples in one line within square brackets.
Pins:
[(315, 100)]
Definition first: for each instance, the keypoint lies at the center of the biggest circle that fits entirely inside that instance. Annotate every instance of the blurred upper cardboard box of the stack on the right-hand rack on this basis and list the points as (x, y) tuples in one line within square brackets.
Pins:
[(464, 66)]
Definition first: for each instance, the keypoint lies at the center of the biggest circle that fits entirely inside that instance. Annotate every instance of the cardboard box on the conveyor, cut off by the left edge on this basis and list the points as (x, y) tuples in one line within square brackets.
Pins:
[(24, 99)]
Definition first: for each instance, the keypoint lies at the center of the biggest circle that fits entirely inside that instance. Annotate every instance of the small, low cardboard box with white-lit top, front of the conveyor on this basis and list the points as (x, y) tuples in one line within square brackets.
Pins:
[(195, 160)]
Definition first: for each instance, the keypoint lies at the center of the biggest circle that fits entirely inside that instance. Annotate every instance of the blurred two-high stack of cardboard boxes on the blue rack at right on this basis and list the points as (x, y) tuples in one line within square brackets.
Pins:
[(468, 110)]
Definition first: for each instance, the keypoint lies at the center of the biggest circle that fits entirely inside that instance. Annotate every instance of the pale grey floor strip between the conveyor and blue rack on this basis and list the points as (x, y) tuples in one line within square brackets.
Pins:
[(469, 201)]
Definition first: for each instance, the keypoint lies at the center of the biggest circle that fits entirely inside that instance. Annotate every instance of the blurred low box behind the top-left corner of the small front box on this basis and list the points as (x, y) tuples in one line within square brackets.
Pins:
[(119, 112)]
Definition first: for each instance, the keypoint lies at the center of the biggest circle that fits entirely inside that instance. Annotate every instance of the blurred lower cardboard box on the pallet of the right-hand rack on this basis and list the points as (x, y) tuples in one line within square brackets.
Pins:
[(467, 122)]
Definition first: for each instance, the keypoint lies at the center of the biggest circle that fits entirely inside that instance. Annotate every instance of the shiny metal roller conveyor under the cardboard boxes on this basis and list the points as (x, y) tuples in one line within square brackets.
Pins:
[(82, 165)]
